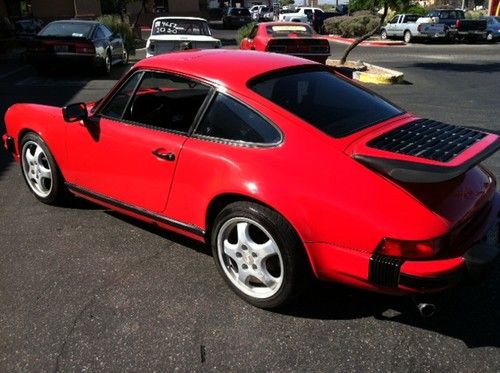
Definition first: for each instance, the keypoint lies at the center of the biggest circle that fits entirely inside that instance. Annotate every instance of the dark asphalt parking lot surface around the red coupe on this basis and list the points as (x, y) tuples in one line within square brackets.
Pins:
[(85, 289)]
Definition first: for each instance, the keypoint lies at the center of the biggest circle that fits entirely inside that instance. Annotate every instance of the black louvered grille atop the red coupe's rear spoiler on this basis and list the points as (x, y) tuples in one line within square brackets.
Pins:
[(428, 139)]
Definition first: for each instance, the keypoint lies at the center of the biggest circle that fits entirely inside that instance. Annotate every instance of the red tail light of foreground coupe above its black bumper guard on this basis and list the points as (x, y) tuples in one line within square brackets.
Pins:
[(410, 249)]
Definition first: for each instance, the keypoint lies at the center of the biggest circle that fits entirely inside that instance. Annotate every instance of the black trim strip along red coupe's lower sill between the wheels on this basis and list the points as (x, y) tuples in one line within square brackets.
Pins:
[(136, 210)]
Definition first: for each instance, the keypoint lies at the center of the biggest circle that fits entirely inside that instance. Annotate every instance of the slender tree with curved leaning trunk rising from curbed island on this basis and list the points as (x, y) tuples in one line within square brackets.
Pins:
[(370, 5)]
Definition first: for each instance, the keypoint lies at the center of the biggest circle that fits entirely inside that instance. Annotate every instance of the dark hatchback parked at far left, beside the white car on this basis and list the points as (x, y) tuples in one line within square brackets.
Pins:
[(79, 43)]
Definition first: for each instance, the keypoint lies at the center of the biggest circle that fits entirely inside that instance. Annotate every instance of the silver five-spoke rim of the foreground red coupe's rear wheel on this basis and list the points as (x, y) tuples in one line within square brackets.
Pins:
[(250, 257)]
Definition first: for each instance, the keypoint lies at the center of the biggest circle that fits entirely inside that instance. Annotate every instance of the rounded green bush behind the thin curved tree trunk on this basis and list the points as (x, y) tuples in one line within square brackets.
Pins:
[(353, 26)]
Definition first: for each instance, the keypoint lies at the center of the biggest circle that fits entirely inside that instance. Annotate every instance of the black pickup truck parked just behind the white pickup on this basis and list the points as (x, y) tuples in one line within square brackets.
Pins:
[(458, 27)]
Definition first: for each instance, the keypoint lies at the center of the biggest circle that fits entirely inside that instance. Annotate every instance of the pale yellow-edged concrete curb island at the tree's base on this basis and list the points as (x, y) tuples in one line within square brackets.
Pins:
[(368, 73)]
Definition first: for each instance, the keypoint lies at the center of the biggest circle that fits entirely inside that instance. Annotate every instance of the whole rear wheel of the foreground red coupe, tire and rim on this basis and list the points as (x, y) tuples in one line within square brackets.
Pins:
[(259, 255)]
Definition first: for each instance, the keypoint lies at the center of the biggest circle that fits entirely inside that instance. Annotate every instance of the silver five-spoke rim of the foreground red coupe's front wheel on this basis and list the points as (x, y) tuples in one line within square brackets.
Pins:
[(36, 169)]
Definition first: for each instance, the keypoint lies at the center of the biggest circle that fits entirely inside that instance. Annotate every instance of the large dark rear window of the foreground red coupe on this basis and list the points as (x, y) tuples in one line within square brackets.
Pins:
[(325, 100)]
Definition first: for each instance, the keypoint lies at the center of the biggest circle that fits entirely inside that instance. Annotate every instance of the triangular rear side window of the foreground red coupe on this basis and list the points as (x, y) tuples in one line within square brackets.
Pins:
[(229, 120)]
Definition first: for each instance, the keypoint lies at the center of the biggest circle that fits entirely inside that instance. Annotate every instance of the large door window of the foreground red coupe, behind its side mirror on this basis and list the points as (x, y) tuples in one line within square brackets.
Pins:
[(166, 101)]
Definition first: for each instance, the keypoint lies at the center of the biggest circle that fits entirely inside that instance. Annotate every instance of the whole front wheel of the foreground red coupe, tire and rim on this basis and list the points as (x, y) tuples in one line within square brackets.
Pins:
[(41, 172)]
